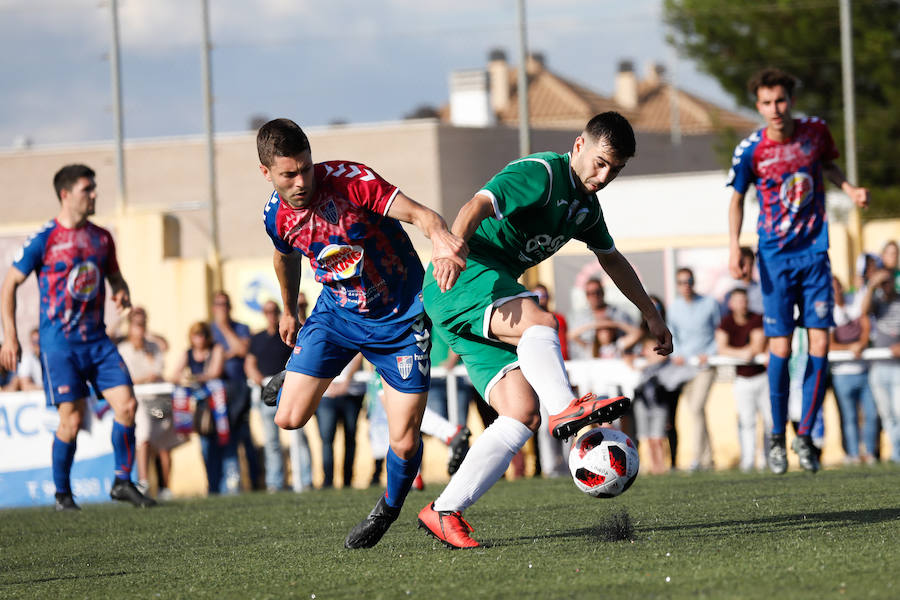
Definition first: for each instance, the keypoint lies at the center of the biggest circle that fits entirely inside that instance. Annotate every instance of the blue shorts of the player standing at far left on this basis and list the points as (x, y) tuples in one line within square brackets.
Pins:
[(68, 370)]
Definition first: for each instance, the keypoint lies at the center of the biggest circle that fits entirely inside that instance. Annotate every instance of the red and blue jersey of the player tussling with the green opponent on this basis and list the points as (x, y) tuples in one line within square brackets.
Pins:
[(364, 259)]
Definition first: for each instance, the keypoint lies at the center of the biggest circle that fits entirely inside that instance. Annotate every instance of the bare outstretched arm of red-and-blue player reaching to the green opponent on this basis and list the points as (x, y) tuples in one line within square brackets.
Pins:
[(449, 251)]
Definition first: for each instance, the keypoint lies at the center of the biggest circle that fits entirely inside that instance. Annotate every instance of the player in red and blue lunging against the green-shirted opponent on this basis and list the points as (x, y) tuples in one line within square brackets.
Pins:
[(346, 220)]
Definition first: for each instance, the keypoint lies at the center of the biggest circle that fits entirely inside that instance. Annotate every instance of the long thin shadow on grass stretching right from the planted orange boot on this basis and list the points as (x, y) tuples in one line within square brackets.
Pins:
[(766, 525)]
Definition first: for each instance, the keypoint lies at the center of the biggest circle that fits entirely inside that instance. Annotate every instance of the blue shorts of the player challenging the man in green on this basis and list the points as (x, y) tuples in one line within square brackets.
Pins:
[(399, 349)]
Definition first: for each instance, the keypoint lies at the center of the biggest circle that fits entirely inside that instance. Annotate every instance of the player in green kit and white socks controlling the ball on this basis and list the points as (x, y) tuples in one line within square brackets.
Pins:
[(509, 344)]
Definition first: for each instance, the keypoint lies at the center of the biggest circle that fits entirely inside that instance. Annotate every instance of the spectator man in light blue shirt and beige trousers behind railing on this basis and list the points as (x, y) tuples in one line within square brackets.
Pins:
[(693, 320)]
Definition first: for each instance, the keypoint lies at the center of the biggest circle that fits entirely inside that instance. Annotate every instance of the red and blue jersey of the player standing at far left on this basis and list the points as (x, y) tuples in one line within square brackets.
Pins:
[(71, 266)]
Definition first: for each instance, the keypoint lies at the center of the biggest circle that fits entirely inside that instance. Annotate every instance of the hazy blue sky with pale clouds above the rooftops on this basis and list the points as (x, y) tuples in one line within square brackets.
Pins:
[(310, 60)]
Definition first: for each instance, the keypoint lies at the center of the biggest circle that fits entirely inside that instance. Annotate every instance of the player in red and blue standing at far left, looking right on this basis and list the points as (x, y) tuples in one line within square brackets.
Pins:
[(73, 259)]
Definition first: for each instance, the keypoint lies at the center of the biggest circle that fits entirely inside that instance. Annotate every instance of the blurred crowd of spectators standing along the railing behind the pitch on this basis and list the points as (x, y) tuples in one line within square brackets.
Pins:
[(218, 378)]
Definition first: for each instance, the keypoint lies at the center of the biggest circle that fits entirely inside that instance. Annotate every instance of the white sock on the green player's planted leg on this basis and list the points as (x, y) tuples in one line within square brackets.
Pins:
[(487, 460)]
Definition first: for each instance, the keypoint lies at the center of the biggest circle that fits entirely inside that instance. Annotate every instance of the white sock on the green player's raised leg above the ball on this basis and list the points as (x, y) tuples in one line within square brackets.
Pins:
[(541, 362)]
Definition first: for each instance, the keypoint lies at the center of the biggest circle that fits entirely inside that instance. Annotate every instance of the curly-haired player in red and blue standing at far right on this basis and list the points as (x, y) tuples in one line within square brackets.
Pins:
[(787, 161)]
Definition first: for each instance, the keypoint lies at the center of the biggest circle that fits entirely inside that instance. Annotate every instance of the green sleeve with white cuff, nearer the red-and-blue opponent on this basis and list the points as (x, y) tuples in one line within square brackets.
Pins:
[(522, 183)]
